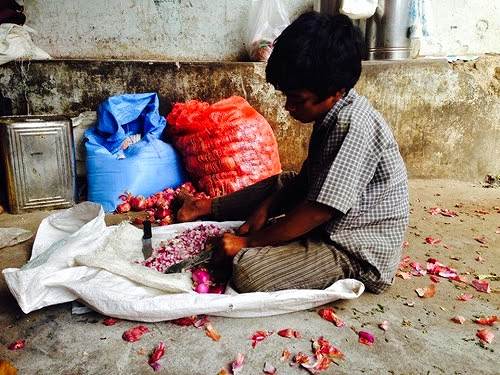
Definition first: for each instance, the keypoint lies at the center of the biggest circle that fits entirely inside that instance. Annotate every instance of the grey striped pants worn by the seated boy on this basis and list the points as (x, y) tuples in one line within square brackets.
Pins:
[(307, 263)]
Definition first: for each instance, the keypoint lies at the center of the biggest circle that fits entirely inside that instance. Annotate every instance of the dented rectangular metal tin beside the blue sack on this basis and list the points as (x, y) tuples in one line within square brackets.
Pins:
[(39, 162)]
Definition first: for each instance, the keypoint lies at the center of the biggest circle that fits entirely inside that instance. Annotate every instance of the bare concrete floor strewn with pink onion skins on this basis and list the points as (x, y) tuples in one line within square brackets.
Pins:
[(421, 338)]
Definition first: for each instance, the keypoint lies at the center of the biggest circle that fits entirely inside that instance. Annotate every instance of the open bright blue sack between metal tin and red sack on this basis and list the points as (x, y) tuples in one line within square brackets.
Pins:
[(146, 166)]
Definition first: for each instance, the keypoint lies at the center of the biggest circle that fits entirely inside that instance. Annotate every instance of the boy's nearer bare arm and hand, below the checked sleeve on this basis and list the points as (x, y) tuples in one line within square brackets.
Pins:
[(301, 220)]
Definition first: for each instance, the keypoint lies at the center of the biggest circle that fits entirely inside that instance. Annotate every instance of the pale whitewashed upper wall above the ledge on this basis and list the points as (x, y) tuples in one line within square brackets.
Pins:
[(214, 30)]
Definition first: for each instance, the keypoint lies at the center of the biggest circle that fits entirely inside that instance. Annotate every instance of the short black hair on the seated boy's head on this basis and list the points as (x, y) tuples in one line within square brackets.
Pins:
[(318, 52)]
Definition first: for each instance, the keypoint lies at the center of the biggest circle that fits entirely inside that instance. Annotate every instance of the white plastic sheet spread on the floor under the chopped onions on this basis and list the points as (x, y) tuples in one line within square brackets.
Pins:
[(79, 234)]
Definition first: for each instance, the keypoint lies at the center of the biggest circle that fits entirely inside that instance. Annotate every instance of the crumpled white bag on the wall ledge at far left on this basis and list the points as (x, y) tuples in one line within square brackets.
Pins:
[(16, 43)]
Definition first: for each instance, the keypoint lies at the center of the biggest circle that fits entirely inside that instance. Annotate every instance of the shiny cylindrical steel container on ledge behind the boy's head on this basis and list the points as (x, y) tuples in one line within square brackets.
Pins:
[(386, 33)]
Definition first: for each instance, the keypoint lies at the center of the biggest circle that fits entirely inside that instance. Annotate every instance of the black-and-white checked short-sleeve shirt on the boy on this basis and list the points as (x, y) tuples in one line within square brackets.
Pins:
[(354, 166)]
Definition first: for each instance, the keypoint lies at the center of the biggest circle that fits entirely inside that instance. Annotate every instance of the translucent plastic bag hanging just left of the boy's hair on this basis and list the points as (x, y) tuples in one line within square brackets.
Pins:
[(267, 20)]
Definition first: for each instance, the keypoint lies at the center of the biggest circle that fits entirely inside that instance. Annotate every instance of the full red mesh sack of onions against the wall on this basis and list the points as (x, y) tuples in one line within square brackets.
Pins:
[(225, 146)]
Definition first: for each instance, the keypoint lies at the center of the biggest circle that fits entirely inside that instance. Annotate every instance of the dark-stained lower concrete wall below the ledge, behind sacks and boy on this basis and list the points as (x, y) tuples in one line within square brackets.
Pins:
[(447, 121)]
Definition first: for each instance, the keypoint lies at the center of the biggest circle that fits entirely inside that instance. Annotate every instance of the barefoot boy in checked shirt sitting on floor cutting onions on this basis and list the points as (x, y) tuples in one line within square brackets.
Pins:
[(346, 212)]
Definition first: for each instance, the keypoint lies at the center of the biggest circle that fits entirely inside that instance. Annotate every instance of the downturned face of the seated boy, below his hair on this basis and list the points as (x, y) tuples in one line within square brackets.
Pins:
[(305, 106)]
